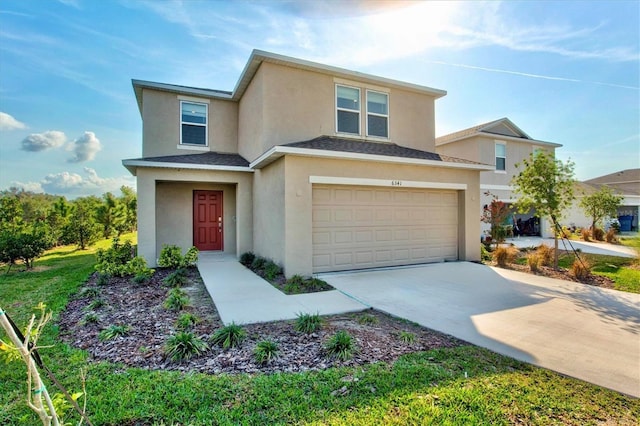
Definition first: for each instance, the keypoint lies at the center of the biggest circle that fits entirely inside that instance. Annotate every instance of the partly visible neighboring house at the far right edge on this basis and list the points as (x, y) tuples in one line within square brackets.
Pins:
[(625, 183)]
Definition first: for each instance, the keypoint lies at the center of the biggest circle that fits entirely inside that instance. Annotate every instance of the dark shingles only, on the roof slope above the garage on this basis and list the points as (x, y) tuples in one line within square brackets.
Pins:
[(332, 143)]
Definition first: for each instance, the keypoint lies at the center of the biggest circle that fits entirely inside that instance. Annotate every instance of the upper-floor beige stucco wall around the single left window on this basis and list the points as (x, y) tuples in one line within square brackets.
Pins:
[(161, 124)]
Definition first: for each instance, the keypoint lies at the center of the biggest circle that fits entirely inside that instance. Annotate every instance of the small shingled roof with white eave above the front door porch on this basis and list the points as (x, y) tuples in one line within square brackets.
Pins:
[(206, 161)]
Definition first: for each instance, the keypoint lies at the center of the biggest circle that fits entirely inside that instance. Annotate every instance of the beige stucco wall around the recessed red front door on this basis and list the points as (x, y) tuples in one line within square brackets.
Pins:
[(165, 208)]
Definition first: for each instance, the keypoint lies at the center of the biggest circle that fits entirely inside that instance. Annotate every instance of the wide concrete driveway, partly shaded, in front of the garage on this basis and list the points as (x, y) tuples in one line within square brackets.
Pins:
[(582, 331)]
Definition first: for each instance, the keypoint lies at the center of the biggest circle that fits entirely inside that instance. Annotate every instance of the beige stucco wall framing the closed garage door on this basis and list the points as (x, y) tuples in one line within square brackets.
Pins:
[(297, 254)]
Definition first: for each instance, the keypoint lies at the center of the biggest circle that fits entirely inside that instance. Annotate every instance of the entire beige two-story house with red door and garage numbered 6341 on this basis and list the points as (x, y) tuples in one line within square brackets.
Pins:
[(316, 167)]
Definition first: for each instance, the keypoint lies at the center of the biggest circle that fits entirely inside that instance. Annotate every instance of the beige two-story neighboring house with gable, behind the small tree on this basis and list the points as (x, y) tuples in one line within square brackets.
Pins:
[(502, 144)]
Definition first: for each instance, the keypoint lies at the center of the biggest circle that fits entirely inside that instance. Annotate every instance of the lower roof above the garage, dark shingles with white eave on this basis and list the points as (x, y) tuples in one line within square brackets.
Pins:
[(356, 149)]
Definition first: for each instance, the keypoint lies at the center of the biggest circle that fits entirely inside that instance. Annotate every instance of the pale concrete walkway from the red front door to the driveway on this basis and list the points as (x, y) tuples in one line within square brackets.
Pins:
[(242, 297)]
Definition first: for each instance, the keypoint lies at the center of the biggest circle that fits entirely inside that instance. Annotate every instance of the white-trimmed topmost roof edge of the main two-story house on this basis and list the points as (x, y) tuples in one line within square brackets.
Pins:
[(257, 58)]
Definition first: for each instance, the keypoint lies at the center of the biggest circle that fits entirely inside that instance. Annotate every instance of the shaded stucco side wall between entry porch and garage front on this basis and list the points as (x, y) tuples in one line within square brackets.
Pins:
[(270, 212)]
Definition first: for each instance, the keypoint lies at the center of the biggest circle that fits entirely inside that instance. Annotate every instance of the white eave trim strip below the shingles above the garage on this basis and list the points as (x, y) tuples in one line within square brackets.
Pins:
[(279, 151)]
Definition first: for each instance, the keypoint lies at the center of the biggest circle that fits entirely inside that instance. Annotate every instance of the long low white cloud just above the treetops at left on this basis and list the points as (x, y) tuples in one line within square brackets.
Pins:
[(73, 184)]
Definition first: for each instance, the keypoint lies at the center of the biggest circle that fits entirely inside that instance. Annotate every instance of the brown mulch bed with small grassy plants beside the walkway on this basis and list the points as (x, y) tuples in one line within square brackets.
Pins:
[(139, 306)]
